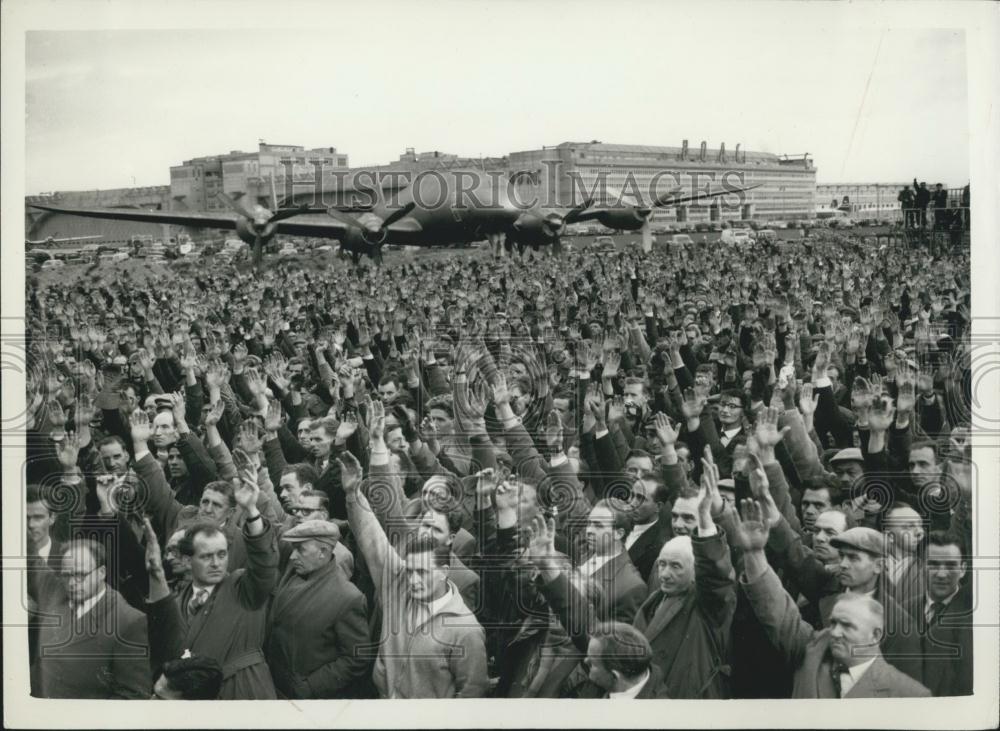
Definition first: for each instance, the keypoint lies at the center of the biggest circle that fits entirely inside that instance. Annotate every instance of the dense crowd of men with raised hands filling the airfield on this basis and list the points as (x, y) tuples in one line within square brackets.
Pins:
[(695, 473)]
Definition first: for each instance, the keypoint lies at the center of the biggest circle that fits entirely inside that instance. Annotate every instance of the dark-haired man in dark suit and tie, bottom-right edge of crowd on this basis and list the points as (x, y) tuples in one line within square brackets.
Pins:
[(943, 617)]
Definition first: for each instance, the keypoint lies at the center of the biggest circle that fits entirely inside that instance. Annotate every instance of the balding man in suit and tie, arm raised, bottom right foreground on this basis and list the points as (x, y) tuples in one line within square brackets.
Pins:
[(841, 661)]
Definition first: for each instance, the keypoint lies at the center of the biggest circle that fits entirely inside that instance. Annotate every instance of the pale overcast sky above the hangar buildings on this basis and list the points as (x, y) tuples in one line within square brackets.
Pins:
[(870, 104)]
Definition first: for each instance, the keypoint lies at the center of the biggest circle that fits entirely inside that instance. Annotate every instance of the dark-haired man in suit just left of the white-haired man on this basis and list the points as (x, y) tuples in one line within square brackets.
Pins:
[(609, 565)]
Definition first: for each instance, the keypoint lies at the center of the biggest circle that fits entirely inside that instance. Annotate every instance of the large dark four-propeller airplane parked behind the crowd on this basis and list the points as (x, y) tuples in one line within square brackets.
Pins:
[(364, 228)]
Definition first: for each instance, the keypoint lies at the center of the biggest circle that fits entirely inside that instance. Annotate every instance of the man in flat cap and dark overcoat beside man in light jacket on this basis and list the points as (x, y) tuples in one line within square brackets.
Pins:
[(317, 626)]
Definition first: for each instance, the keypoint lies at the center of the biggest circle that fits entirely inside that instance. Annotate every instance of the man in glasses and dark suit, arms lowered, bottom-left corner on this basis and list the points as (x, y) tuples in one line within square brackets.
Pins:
[(96, 645)]
